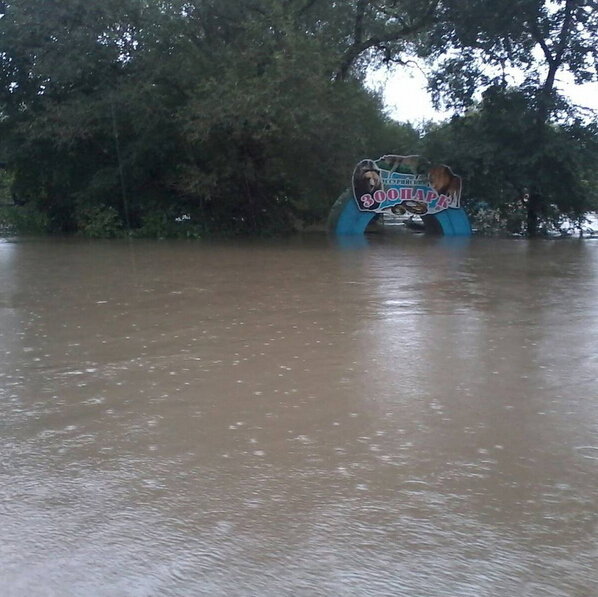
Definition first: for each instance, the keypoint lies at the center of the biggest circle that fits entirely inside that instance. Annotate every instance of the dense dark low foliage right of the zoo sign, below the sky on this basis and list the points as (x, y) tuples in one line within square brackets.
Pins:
[(494, 148)]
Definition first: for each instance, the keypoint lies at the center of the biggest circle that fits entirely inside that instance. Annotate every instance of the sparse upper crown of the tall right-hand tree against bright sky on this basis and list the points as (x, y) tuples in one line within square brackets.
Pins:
[(476, 44)]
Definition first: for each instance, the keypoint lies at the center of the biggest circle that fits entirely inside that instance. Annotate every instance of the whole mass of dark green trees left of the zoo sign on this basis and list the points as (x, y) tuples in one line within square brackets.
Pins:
[(225, 111)]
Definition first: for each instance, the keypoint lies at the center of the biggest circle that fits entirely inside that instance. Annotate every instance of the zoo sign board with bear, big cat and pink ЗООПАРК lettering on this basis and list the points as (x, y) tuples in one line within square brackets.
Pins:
[(405, 184)]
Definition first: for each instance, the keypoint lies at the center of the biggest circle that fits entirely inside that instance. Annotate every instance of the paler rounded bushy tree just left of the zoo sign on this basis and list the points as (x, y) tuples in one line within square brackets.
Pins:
[(292, 133)]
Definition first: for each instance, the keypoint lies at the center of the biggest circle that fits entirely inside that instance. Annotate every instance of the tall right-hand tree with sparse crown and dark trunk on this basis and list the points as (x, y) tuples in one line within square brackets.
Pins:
[(478, 44)]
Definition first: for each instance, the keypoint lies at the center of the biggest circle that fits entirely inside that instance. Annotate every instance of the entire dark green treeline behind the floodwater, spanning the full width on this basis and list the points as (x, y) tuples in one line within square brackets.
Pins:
[(247, 116)]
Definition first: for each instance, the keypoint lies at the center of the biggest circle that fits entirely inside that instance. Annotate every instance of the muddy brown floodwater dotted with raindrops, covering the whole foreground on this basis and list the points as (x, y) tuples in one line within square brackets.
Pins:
[(397, 416)]
